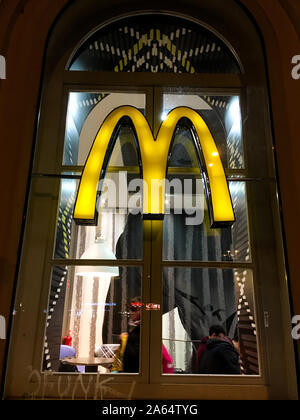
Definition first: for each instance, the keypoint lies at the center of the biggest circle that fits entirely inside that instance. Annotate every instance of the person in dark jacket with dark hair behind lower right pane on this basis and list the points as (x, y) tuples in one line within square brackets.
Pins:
[(219, 357)]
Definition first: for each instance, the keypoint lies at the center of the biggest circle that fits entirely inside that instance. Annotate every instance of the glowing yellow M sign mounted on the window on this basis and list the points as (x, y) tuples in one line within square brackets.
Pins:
[(154, 164)]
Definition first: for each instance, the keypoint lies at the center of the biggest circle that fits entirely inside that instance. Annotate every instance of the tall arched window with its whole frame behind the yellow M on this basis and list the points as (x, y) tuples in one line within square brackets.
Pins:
[(161, 281)]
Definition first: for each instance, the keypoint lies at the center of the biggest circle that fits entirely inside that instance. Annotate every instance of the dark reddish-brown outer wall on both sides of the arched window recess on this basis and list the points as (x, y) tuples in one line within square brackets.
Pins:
[(24, 27)]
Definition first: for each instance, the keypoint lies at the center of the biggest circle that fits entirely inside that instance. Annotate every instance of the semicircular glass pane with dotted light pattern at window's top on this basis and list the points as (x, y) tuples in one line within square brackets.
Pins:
[(155, 43)]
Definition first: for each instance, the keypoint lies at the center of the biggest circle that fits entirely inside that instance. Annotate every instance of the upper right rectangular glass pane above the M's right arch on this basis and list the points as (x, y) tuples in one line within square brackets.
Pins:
[(222, 115)]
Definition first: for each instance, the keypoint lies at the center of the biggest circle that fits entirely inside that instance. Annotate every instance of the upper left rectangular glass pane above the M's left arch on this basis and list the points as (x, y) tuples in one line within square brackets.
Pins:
[(86, 113)]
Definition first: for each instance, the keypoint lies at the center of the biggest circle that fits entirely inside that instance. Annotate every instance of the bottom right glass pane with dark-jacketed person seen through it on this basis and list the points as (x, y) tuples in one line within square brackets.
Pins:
[(209, 322)]
